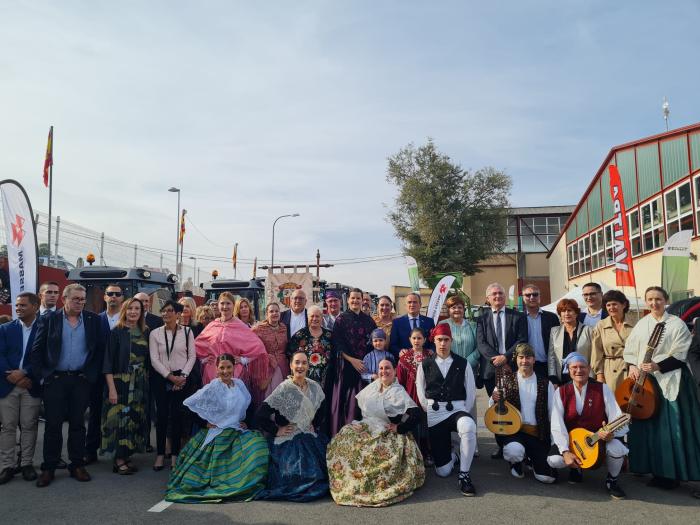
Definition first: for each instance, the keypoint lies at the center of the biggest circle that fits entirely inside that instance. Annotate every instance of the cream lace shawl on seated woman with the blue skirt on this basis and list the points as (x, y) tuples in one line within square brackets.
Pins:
[(298, 407)]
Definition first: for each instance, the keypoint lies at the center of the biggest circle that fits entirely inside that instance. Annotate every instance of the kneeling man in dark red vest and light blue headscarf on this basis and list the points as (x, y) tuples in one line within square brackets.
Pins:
[(585, 403)]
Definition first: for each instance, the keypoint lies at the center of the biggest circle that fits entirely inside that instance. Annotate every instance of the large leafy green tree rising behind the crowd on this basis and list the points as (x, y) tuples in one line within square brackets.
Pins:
[(447, 218)]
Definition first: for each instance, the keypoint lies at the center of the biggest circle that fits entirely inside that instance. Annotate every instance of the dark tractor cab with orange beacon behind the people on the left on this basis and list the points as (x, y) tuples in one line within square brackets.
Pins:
[(159, 285)]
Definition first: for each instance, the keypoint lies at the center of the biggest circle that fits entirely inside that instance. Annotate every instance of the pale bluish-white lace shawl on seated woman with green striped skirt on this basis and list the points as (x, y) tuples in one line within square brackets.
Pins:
[(220, 405)]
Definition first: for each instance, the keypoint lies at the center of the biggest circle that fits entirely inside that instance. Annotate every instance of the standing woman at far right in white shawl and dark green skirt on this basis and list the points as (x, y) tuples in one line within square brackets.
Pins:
[(668, 444)]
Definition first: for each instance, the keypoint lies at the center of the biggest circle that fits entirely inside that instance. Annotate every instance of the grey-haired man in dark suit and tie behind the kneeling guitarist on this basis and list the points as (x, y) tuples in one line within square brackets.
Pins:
[(498, 331)]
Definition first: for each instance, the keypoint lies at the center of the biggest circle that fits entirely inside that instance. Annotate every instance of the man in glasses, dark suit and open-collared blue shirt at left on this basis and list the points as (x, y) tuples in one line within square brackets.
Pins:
[(67, 356)]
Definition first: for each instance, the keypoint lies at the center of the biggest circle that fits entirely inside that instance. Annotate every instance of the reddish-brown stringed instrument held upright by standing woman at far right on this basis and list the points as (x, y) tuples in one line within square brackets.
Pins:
[(639, 398)]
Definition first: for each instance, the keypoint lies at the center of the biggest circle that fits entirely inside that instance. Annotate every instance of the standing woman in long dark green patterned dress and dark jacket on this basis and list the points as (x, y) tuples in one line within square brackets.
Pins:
[(124, 424)]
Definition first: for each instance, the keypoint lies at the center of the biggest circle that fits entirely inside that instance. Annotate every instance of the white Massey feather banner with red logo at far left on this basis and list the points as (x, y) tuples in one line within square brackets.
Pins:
[(20, 235)]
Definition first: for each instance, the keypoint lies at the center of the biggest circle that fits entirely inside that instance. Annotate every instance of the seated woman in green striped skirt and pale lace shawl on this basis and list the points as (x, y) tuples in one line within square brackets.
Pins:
[(225, 461)]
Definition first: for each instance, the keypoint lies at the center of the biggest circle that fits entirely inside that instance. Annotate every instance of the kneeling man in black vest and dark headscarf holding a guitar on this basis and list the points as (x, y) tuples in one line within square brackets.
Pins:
[(532, 396)]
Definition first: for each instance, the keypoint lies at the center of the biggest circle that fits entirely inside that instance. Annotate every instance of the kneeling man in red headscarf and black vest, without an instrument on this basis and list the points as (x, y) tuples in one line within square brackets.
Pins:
[(446, 390)]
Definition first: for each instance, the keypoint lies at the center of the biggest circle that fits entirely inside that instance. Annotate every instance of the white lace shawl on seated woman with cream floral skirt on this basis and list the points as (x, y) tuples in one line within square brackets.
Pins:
[(378, 404)]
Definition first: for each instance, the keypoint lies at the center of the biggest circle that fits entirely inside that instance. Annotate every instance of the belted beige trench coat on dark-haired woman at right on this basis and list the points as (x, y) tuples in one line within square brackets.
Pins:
[(608, 346)]
